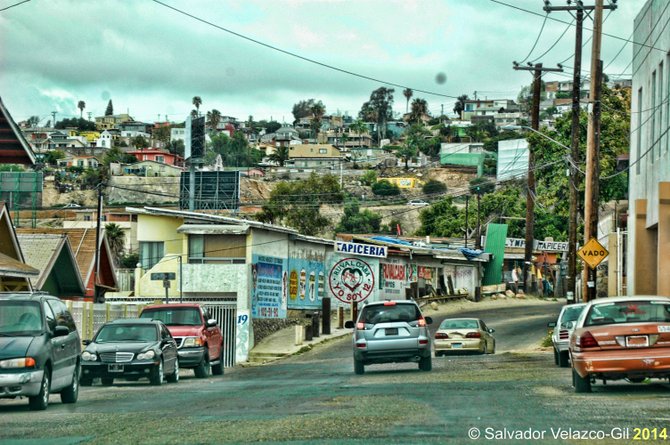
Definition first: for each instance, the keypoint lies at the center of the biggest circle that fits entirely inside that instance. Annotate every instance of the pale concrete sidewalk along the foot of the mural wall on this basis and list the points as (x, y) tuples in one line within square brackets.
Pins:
[(282, 344)]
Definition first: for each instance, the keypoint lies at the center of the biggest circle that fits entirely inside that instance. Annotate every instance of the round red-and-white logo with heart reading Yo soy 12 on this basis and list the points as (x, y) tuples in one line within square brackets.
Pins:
[(351, 279)]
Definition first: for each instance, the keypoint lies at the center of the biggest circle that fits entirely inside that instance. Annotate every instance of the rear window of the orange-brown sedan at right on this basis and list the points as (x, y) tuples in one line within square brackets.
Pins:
[(628, 312)]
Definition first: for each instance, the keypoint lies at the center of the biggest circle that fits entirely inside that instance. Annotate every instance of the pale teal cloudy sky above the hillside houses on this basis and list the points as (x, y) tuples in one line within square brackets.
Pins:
[(151, 57)]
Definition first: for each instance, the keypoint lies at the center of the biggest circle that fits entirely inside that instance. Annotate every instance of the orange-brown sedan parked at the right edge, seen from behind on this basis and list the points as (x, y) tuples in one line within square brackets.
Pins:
[(621, 338)]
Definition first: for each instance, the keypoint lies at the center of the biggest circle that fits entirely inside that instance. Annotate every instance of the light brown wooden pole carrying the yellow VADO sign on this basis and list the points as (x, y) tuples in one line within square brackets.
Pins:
[(592, 149)]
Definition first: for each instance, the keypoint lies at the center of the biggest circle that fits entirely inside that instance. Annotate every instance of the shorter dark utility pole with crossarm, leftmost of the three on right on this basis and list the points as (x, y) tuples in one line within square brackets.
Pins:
[(530, 193)]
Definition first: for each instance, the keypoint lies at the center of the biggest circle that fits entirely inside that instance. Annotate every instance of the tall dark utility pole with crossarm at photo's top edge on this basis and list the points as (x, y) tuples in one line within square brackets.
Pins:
[(579, 9)]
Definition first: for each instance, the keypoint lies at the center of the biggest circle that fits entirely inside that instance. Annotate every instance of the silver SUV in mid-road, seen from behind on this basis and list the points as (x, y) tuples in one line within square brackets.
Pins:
[(390, 332)]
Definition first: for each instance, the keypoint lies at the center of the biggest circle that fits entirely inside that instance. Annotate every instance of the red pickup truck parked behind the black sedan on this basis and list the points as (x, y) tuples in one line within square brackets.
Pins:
[(199, 339)]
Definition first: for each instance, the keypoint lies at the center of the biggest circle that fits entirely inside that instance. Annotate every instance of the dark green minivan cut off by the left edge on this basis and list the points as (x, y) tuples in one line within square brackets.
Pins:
[(39, 349)]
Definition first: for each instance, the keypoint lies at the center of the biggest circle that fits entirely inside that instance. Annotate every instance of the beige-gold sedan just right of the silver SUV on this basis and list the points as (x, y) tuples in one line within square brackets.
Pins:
[(464, 334)]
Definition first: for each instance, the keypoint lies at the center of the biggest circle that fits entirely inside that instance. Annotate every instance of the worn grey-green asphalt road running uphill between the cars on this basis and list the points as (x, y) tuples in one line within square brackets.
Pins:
[(316, 398)]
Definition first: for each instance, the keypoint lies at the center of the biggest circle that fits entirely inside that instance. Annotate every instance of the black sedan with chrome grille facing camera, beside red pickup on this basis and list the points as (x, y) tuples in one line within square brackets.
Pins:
[(130, 348)]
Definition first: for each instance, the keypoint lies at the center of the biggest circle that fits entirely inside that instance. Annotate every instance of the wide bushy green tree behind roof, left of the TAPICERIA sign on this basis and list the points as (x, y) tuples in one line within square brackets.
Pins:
[(298, 203)]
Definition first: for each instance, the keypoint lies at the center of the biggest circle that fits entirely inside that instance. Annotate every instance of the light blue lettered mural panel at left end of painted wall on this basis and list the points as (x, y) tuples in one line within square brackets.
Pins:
[(269, 287)]
